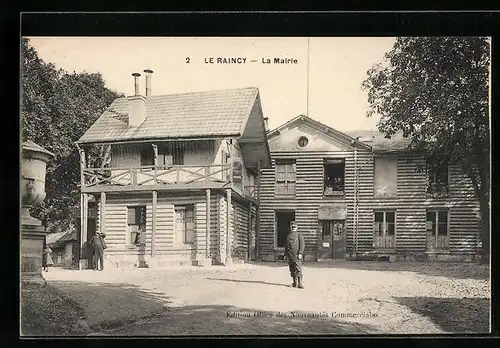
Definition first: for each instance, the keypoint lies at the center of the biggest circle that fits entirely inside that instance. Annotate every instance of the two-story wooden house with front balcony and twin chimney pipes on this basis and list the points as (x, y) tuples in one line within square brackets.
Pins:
[(180, 183)]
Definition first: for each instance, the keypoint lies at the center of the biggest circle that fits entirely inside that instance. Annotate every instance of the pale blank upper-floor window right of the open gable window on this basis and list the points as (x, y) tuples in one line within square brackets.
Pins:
[(385, 182)]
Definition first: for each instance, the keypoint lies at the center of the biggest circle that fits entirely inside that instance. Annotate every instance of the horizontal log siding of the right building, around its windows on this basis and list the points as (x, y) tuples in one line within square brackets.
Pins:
[(410, 204)]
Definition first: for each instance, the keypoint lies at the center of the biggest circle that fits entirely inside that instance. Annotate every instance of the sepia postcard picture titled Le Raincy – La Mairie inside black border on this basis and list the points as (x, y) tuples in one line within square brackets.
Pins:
[(213, 186)]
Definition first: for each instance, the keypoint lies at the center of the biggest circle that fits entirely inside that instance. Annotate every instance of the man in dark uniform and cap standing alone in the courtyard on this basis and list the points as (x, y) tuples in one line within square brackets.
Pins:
[(294, 253)]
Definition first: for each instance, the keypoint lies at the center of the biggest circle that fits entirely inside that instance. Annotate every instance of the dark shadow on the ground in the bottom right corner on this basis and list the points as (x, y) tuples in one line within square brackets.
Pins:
[(452, 315)]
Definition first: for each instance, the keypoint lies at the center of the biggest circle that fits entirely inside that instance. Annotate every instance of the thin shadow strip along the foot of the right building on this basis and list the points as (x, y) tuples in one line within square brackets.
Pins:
[(463, 270)]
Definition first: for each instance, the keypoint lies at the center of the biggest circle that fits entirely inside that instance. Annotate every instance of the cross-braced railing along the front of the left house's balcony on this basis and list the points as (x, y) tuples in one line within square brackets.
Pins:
[(159, 175)]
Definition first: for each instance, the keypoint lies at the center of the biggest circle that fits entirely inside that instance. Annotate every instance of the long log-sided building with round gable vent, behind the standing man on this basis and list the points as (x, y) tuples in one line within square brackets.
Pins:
[(362, 195)]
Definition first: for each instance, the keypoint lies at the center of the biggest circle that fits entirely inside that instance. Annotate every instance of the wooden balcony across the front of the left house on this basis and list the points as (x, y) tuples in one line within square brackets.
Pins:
[(160, 177)]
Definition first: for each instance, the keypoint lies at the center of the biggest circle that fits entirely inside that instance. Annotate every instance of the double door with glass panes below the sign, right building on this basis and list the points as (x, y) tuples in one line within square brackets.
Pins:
[(332, 240)]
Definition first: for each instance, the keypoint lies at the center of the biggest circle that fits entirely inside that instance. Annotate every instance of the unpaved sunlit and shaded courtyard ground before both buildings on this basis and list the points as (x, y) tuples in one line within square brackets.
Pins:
[(256, 299)]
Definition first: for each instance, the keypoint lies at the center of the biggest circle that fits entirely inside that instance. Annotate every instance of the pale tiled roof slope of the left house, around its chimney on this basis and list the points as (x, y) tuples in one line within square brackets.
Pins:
[(213, 113)]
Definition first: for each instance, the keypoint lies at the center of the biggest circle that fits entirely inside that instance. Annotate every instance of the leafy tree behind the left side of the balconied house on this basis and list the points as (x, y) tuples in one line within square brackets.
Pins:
[(57, 108)]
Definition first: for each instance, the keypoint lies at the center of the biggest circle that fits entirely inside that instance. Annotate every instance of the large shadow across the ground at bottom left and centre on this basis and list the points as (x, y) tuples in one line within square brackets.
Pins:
[(127, 310)]
